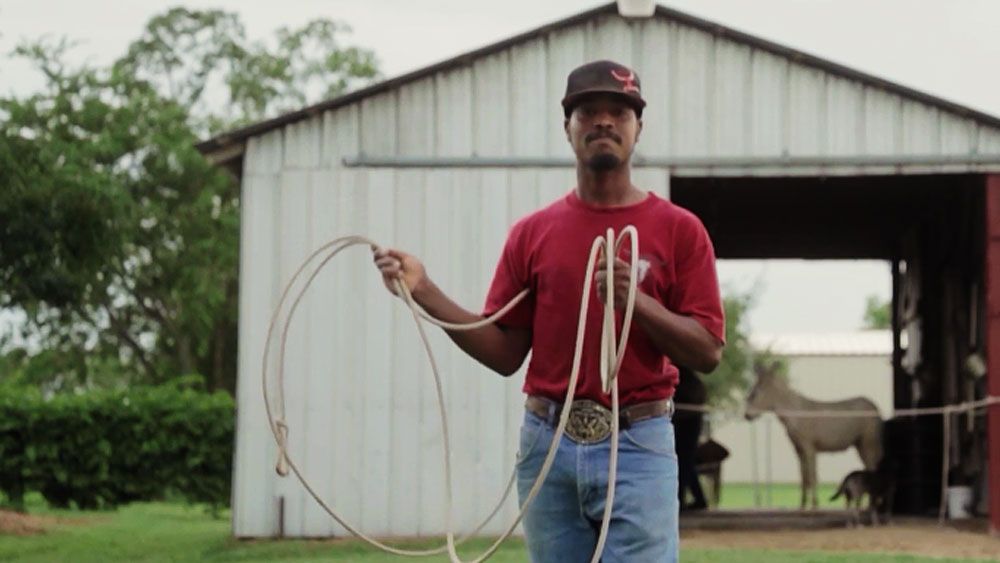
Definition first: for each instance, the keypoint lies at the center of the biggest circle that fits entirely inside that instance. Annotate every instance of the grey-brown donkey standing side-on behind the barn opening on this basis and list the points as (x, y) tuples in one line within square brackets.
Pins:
[(810, 435)]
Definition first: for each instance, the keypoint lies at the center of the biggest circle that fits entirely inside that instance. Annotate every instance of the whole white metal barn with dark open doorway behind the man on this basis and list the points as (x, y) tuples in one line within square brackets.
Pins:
[(782, 154)]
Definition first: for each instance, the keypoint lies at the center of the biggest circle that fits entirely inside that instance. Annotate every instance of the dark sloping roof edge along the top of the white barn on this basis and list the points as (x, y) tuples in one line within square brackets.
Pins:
[(227, 146)]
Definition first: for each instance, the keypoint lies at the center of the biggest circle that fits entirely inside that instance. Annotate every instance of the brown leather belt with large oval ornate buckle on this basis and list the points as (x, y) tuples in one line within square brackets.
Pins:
[(590, 422)]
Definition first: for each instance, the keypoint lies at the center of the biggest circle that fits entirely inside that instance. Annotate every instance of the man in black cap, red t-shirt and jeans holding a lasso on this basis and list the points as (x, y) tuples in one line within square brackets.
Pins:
[(678, 318)]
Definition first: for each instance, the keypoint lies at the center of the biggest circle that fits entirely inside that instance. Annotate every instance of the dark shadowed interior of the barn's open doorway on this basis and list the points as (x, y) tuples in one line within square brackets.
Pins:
[(932, 229)]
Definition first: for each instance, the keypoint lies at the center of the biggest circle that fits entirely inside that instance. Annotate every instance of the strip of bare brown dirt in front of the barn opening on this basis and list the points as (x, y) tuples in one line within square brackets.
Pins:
[(915, 538)]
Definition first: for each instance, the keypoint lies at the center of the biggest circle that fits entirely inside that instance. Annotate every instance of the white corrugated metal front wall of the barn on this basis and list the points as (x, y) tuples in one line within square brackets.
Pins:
[(360, 405)]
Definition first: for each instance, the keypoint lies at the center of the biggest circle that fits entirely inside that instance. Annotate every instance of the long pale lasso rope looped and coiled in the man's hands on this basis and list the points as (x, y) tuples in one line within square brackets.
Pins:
[(607, 245)]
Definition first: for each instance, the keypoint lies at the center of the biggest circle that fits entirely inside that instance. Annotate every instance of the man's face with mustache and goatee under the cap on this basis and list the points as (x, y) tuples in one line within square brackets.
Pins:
[(603, 131)]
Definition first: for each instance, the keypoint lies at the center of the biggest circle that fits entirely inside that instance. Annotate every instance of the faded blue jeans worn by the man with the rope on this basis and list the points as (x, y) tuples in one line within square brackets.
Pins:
[(563, 521)]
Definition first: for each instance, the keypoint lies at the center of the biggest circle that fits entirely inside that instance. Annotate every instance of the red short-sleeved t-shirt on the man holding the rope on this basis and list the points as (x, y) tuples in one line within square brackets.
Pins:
[(547, 253)]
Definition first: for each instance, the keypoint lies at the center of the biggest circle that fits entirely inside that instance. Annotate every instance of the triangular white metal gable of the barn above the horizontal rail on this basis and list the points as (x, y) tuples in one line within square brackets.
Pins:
[(719, 99)]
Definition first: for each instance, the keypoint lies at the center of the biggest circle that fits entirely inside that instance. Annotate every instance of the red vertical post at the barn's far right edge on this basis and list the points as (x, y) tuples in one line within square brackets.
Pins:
[(993, 341)]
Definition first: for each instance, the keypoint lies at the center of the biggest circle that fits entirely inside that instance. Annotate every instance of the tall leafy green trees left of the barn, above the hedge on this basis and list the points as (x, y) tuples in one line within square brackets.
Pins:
[(119, 240)]
